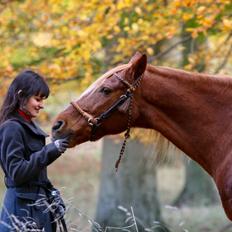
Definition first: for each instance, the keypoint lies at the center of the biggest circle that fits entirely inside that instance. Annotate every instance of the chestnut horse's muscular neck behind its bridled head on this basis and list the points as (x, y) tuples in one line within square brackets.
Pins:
[(192, 110)]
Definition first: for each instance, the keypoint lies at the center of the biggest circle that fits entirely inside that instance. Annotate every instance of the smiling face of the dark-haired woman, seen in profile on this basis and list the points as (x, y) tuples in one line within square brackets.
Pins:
[(34, 105)]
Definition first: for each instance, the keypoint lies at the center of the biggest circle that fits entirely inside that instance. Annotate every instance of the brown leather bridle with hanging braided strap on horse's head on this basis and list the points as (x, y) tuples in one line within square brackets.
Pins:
[(95, 122)]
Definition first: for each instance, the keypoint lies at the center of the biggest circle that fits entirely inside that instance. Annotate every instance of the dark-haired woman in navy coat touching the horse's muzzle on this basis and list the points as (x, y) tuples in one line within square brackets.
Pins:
[(31, 203)]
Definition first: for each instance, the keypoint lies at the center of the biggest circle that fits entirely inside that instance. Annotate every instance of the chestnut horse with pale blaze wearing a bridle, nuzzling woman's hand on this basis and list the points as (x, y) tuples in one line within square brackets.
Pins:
[(191, 110)]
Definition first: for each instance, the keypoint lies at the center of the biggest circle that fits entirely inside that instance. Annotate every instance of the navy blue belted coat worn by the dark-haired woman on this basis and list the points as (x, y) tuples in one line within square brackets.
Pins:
[(24, 158)]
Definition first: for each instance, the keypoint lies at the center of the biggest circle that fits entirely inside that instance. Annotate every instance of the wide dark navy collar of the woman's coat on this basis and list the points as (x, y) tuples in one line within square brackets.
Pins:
[(32, 126)]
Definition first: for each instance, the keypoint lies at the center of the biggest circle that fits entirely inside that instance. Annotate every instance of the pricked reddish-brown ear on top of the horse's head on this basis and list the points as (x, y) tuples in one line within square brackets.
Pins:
[(139, 63)]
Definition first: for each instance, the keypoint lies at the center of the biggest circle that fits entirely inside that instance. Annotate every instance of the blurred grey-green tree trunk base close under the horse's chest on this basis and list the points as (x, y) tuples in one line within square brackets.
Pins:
[(199, 188)]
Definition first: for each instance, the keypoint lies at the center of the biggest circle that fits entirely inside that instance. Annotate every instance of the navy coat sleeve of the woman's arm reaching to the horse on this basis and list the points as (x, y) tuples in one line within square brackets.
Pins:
[(13, 159)]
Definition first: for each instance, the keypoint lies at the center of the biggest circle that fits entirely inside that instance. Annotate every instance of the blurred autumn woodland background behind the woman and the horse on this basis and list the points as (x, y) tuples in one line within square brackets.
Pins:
[(72, 43)]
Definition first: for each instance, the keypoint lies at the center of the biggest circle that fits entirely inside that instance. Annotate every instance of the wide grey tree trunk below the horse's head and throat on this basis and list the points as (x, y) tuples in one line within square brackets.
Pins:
[(132, 187)]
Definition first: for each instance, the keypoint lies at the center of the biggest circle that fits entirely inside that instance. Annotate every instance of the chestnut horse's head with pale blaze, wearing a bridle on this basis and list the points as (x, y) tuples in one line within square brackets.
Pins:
[(103, 108)]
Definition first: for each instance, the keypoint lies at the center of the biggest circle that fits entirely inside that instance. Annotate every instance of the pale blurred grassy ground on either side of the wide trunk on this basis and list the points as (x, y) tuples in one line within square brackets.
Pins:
[(77, 173)]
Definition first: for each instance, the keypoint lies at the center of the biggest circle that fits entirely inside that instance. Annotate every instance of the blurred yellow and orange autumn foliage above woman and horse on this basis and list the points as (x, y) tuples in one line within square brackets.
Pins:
[(74, 39)]
